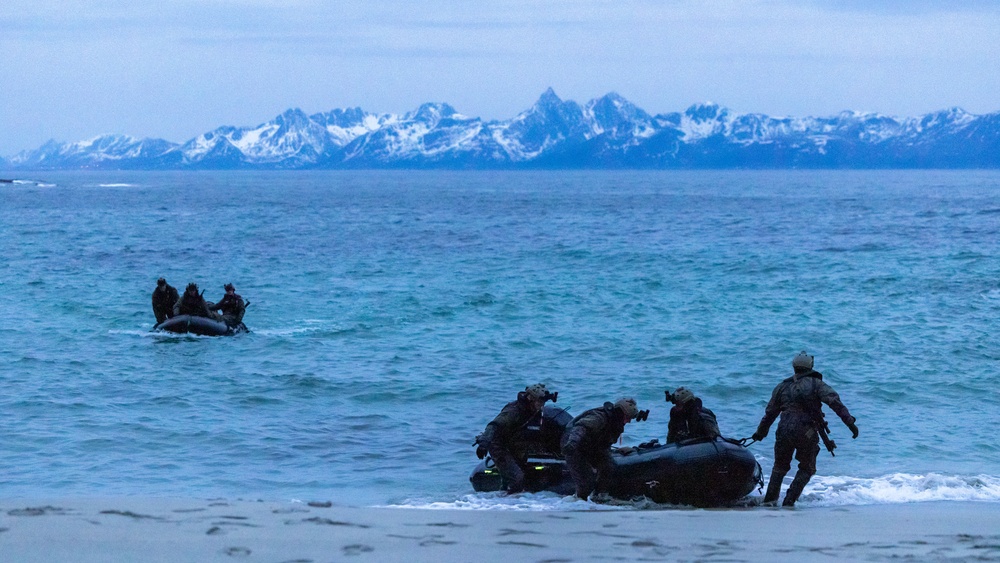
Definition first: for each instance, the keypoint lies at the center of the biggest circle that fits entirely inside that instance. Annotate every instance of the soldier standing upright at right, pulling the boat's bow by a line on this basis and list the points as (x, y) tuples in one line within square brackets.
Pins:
[(799, 401)]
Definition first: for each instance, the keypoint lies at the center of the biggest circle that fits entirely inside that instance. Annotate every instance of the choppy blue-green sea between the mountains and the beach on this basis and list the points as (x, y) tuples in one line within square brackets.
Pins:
[(394, 313)]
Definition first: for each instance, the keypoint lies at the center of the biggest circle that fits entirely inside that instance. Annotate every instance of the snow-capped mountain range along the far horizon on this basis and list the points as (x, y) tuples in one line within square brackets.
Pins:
[(608, 132)]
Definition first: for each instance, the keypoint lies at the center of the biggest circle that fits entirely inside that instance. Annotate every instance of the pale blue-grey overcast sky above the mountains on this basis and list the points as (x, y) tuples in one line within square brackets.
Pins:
[(173, 69)]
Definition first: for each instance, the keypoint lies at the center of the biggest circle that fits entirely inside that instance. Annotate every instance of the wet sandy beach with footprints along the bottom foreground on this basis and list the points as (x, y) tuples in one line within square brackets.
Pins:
[(152, 530)]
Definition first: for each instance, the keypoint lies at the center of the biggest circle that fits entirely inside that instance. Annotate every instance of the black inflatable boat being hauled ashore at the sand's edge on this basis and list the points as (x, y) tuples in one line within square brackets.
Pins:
[(699, 472)]
